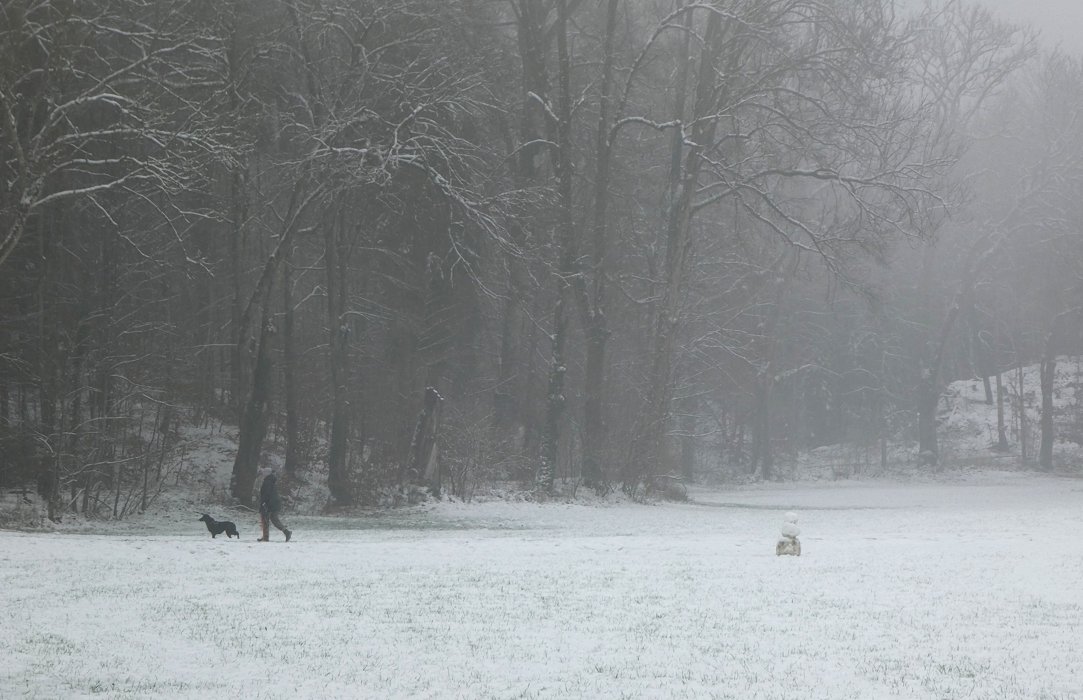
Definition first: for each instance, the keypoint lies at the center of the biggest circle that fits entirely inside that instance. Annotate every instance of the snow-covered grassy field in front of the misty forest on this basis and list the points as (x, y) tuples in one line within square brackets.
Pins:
[(972, 589)]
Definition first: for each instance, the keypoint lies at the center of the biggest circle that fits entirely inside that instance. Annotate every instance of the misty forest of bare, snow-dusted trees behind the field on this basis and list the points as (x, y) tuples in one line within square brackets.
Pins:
[(557, 243)]
